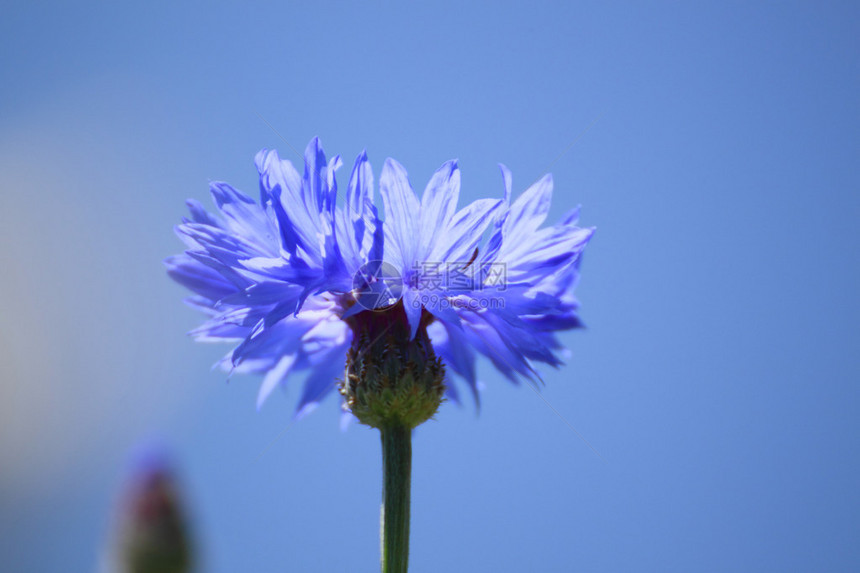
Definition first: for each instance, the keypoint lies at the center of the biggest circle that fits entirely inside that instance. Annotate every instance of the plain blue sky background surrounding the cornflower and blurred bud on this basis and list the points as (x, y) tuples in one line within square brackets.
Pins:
[(715, 146)]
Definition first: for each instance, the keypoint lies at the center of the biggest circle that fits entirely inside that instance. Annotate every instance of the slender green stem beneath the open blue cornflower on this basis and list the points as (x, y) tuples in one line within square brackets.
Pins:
[(396, 480)]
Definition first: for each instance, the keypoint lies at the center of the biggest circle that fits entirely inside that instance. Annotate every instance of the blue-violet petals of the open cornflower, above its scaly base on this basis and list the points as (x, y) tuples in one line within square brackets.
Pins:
[(291, 279)]
